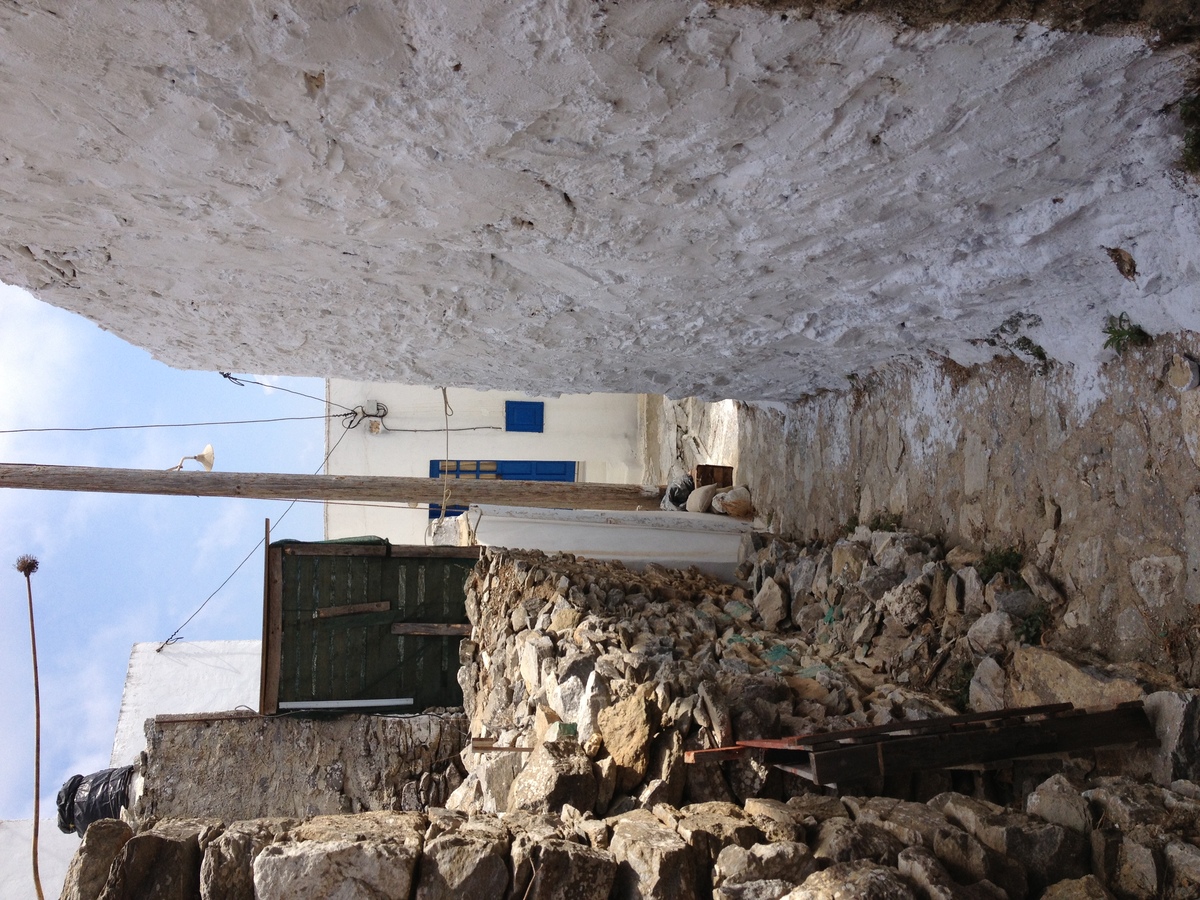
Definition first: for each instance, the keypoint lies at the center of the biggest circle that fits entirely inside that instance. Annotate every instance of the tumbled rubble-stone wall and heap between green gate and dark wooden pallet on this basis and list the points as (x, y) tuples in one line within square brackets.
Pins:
[(872, 629)]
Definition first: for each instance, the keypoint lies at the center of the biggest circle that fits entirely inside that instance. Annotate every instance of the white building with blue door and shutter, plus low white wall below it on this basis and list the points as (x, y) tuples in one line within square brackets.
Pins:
[(497, 435)]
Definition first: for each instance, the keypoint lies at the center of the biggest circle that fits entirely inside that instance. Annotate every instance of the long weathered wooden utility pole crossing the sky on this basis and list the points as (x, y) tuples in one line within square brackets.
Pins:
[(362, 489)]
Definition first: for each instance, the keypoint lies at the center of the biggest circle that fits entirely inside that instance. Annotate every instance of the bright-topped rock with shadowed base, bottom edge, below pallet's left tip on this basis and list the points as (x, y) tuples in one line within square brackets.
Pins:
[(655, 863)]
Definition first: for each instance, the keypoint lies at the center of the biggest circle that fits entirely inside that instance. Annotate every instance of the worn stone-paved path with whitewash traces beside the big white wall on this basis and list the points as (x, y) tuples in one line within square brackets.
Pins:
[(1095, 479)]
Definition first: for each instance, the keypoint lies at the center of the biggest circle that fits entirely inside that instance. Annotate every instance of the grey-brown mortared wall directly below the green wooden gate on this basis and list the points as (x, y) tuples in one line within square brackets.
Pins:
[(251, 767)]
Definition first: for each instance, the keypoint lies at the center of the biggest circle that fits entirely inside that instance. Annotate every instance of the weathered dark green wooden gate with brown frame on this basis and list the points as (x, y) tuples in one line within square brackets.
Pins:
[(363, 625)]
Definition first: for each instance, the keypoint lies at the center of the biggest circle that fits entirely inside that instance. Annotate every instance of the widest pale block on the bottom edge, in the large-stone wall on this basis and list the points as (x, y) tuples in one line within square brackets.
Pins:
[(334, 871)]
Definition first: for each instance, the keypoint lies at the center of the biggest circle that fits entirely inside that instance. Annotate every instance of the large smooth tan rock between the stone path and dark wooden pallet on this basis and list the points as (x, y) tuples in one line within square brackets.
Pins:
[(1037, 676)]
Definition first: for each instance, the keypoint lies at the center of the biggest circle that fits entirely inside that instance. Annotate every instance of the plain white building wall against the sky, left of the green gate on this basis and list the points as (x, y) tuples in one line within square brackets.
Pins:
[(187, 677)]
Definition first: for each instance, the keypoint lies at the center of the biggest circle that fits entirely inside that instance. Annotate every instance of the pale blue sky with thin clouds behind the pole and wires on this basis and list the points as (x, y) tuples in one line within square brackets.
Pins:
[(119, 569)]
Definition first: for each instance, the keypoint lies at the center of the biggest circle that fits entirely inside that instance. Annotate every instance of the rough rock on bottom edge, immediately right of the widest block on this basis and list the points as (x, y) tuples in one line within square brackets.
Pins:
[(465, 865)]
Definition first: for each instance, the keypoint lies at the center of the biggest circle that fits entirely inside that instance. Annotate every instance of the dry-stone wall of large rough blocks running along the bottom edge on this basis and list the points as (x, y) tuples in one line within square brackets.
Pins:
[(1117, 838)]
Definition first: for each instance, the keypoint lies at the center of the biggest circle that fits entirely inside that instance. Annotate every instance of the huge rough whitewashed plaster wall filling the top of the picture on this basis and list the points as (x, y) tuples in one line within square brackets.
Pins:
[(655, 196)]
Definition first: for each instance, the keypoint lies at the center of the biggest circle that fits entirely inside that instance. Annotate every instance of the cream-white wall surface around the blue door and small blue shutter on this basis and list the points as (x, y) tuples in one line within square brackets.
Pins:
[(599, 433)]
